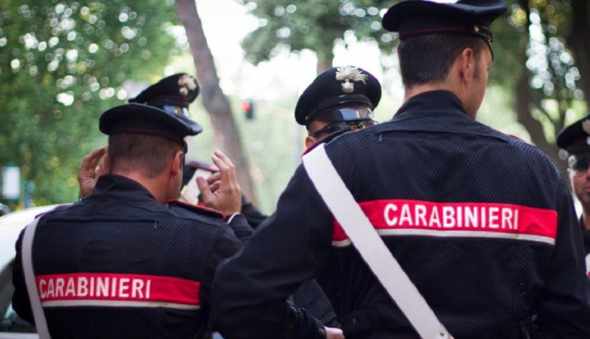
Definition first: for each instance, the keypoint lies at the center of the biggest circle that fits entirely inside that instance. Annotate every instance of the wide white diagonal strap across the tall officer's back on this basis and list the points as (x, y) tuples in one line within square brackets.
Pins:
[(370, 246)]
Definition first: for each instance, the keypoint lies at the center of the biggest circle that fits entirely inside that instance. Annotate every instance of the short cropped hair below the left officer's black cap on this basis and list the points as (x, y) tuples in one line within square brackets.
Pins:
[(139, 152)]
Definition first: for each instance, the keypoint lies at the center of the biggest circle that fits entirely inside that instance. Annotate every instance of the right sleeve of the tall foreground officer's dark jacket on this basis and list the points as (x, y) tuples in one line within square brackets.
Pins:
[(564, 310)]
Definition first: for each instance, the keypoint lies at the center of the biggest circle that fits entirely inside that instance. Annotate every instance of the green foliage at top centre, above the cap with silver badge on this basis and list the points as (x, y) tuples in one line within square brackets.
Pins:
[(313, 25)]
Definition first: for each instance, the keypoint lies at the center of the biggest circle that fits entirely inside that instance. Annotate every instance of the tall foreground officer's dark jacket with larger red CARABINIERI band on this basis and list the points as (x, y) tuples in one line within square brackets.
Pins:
[(480, 221)]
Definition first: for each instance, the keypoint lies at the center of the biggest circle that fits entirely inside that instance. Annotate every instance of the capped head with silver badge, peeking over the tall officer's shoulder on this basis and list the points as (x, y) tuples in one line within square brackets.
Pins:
[(339, 100)]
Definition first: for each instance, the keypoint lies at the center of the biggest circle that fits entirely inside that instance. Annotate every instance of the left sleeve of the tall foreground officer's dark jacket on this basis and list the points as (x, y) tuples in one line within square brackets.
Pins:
[(251, 289)]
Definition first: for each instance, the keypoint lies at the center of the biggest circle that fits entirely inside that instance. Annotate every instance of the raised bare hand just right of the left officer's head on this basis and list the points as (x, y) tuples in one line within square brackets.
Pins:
[(221, 190)]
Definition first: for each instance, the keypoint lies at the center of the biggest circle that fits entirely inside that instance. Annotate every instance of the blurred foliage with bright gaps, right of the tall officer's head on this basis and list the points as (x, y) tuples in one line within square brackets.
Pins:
[(536, 63)]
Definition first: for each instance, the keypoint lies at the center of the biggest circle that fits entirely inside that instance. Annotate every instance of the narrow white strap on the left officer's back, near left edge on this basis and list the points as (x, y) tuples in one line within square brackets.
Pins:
[(27, 262)]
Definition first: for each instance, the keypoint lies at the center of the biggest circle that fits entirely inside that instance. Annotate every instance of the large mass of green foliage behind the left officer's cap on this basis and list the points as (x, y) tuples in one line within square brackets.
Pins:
[(61, 65)]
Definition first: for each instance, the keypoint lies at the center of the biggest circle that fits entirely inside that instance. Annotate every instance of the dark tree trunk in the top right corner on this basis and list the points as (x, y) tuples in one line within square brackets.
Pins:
[(578, 42)]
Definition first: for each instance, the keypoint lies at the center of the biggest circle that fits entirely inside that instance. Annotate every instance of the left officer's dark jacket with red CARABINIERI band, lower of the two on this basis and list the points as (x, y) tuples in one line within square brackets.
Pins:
[(119, 264)]
